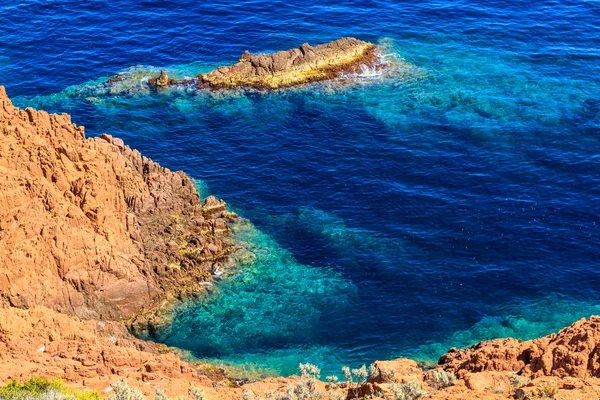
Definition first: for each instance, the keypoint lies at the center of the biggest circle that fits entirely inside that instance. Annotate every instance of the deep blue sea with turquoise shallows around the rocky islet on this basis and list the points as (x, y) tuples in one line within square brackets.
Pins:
[(451, 198)]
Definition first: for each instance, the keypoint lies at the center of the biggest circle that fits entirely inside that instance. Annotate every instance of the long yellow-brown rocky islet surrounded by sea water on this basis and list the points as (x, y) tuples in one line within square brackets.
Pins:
[(286, 68)]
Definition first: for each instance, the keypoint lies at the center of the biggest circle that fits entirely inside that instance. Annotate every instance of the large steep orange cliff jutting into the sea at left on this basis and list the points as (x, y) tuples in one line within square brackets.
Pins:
[(93, 229)]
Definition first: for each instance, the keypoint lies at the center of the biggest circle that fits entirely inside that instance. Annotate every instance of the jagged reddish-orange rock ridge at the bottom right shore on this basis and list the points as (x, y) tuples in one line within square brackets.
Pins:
[(573, 352)]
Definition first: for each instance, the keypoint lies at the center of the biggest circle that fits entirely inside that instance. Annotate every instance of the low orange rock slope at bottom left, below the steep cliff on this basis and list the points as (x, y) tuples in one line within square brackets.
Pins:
[(93, 354)]
